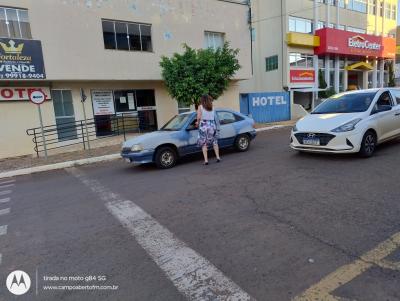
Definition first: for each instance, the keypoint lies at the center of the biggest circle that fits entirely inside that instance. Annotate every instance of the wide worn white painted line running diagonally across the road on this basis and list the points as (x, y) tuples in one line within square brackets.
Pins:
[(193, 275)]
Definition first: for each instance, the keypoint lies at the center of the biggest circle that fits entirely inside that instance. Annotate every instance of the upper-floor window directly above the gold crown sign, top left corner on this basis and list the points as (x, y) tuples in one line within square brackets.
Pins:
[(14, 23)]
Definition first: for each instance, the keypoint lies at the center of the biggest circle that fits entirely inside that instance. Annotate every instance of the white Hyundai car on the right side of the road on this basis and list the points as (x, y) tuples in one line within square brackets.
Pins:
[(350, 122)]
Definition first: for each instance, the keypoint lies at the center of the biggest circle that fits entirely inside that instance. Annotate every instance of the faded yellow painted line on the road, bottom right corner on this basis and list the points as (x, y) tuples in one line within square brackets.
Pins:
[(323, 289)]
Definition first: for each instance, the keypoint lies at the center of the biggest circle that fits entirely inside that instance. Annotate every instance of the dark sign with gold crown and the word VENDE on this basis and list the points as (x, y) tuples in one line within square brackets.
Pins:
[(21, 59)]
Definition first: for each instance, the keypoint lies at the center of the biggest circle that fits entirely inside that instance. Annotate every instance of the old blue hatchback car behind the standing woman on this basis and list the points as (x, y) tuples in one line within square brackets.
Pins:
[(179, 138)]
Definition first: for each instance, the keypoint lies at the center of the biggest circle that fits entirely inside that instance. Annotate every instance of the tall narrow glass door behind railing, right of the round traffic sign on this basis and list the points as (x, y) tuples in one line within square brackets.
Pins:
[(64, 112)]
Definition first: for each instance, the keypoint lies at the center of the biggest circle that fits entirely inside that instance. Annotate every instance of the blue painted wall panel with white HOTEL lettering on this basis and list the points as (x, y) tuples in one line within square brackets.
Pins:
[(266, 107)]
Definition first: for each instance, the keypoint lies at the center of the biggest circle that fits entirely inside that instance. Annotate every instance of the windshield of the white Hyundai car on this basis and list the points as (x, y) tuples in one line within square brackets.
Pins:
[(346, 103)]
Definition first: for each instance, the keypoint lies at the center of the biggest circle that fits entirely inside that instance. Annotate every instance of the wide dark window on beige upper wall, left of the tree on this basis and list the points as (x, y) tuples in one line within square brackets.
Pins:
[(127, 36)]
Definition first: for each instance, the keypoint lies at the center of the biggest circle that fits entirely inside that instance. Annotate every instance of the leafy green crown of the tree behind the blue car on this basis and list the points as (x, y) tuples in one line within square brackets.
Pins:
[(189, 75)]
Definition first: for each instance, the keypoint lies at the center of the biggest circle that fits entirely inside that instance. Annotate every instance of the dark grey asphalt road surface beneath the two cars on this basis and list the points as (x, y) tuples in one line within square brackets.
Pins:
[(278, 224)]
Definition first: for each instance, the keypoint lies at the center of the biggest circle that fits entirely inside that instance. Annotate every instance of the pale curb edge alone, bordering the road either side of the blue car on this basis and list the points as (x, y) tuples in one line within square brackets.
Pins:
[(67, 164)]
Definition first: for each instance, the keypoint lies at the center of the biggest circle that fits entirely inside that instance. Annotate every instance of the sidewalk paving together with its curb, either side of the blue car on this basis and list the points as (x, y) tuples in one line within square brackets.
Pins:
[(17, 166)]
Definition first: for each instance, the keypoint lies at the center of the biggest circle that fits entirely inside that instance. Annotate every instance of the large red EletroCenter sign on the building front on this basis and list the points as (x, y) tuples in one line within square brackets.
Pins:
[(335, 41)]
